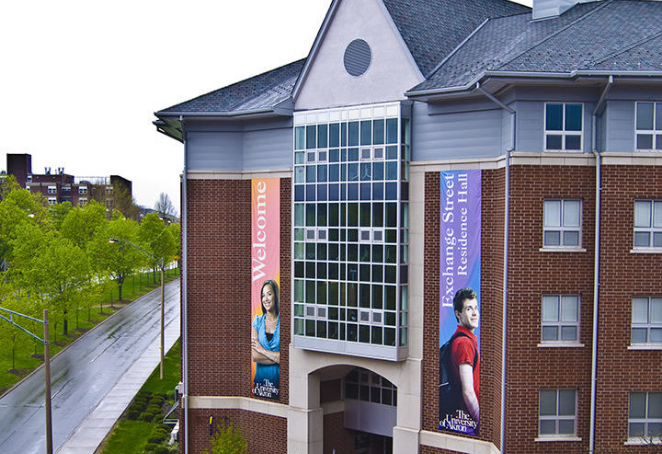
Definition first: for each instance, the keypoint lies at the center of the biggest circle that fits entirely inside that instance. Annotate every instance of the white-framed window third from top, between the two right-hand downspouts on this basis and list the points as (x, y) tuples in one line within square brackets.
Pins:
[(560, 318)]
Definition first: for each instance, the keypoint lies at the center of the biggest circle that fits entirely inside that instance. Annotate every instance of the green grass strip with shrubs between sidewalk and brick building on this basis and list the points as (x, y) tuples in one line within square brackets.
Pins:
[(132, 435)]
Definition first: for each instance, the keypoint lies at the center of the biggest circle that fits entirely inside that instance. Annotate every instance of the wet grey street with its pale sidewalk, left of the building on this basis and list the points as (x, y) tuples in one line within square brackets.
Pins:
[(92, 380)]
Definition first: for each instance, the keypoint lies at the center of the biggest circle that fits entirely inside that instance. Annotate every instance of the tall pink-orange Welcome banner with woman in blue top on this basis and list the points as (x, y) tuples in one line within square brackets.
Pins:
[(265, 287)]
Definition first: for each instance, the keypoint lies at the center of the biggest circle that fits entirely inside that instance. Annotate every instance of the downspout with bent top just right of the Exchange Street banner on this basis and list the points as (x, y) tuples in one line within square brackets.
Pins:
[(506, 232)]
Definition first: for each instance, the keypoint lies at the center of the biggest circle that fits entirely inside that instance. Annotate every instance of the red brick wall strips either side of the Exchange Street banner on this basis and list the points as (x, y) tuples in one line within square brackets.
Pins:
[(491, 315)]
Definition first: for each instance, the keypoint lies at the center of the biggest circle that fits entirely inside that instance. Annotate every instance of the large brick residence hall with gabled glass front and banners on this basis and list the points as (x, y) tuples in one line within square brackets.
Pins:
[(423, 146)]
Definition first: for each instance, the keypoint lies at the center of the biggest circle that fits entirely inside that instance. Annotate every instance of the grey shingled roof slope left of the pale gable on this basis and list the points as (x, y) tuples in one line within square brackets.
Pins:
[(257, 94)]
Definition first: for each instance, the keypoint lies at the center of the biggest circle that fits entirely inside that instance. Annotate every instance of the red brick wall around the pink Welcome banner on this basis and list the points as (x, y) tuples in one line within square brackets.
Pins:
[(219, 289)]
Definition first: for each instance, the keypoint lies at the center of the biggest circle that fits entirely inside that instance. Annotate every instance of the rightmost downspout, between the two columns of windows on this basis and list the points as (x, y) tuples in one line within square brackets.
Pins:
[(596, 266)]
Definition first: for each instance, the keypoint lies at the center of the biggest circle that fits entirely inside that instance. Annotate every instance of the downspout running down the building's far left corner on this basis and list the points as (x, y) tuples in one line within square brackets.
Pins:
[(185, 288)]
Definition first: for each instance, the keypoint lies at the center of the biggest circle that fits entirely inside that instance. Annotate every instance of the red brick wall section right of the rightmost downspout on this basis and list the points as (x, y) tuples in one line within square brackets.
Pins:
[(623, 276)]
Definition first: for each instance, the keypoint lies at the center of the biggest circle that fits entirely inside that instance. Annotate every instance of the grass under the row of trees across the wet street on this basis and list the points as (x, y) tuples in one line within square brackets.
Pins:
[(21, 354)]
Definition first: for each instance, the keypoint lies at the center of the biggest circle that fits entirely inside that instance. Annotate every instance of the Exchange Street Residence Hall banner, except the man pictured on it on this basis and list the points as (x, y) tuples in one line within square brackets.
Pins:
[(460, 239)]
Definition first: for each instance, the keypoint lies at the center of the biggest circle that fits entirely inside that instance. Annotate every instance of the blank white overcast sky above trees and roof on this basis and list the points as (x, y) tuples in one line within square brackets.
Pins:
[(80, 79)]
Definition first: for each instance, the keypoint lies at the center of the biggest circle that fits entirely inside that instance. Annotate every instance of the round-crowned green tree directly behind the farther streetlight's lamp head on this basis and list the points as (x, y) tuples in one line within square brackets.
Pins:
[(118, 260)]
